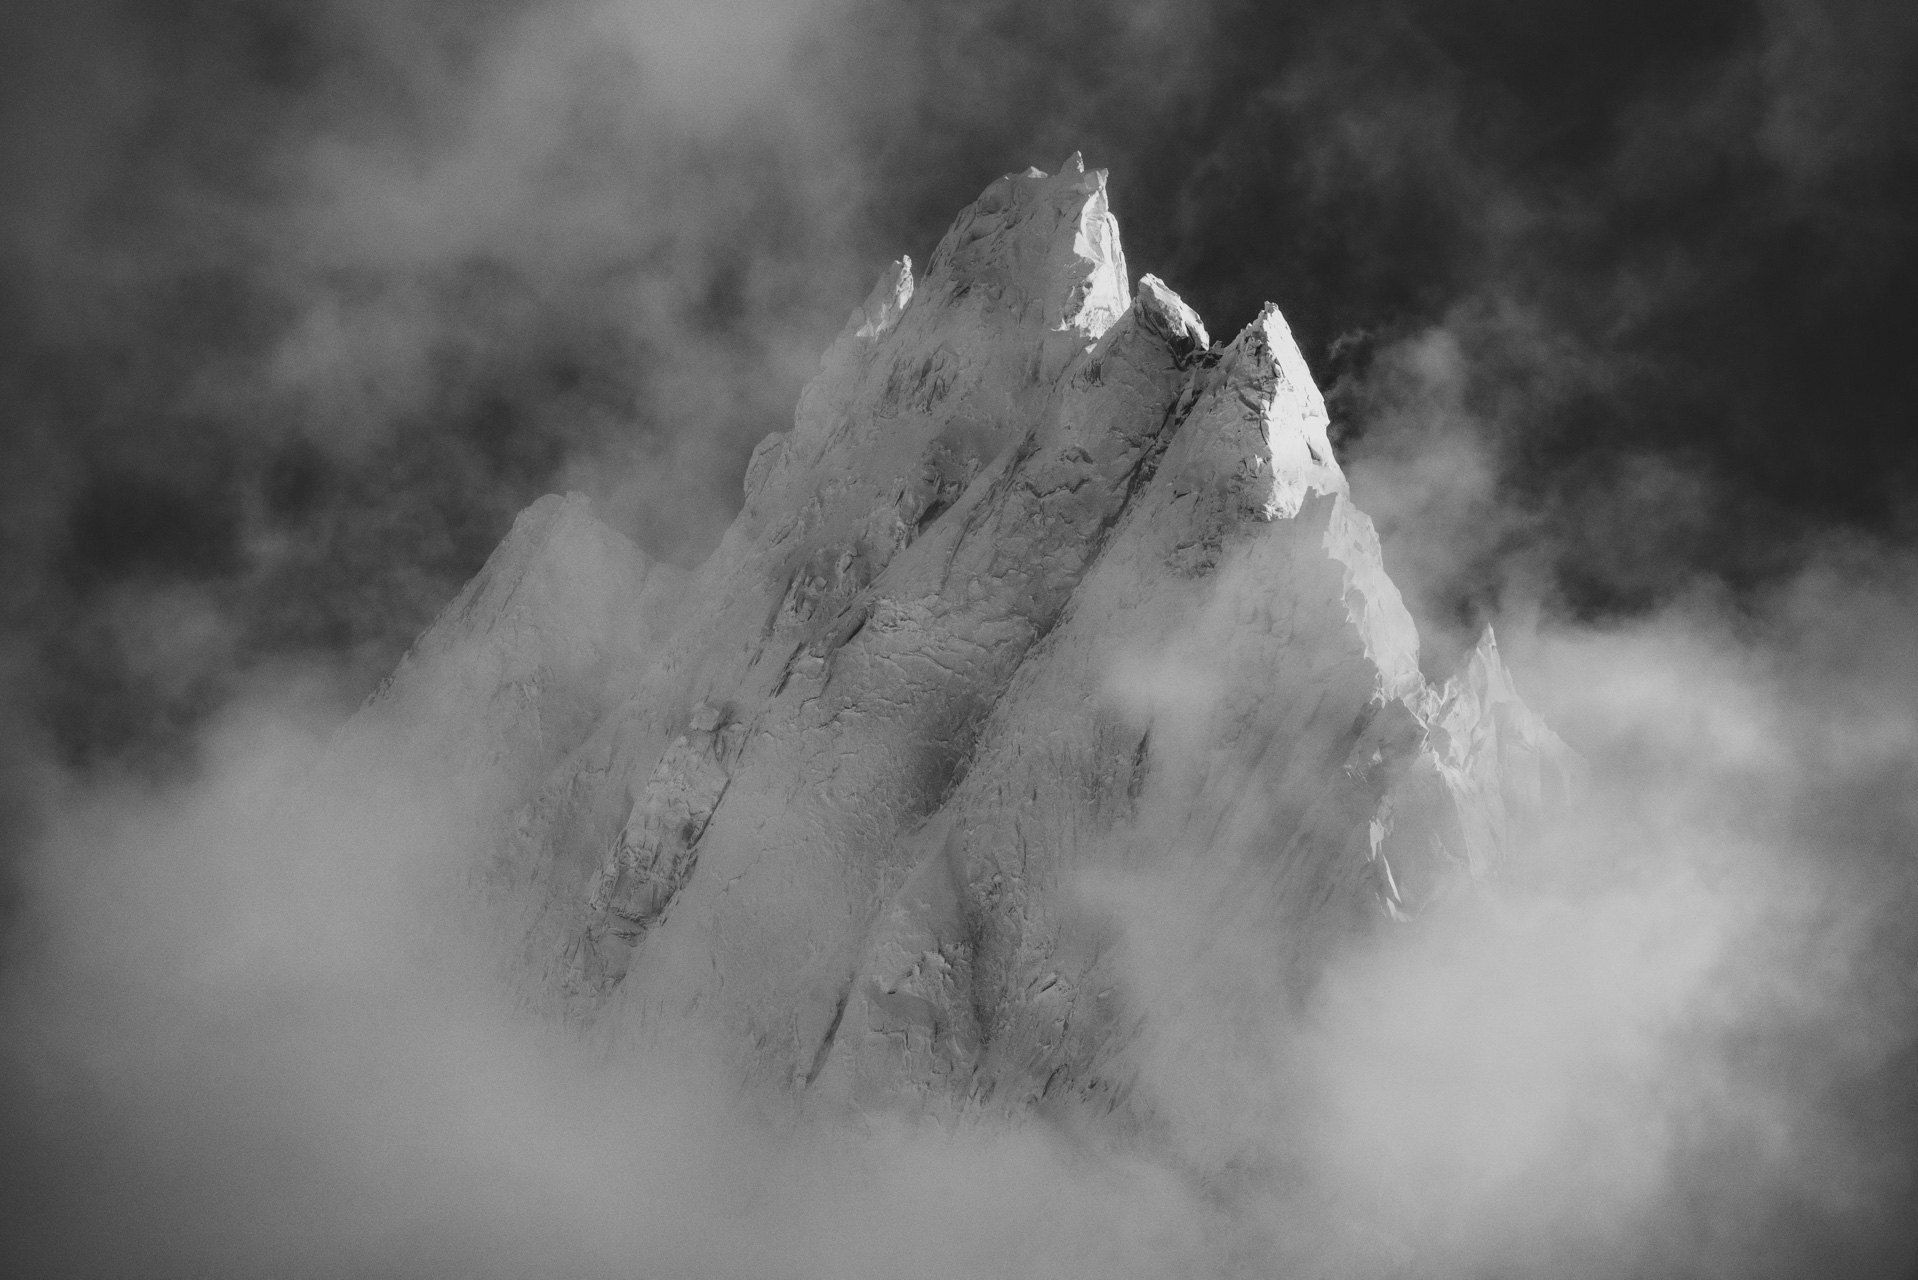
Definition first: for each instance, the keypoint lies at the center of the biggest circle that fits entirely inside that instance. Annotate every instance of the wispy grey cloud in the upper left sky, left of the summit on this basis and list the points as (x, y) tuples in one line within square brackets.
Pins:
[(350, 285)]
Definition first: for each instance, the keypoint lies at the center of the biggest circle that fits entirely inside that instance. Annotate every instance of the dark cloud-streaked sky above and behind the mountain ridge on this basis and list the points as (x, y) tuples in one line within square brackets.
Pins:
[(302, 302)]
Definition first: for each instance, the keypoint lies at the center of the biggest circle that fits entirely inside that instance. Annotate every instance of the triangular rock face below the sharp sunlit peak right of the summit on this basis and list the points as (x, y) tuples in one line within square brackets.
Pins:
[(1227, 703)]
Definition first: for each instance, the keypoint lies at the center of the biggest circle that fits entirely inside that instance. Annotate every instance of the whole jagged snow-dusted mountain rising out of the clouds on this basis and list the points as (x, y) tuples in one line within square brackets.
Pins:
[(1044, 604)]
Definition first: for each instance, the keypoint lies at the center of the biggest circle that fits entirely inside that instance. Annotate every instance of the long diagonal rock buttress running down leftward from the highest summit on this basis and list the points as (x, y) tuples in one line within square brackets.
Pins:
[(925, 391)]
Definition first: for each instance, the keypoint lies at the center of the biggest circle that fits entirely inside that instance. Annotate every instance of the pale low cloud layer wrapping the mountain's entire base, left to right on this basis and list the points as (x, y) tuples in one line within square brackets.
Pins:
[(254, 1024)]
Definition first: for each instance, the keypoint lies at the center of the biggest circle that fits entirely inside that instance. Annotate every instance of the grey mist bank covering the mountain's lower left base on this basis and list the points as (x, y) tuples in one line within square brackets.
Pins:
[(256, 1028)]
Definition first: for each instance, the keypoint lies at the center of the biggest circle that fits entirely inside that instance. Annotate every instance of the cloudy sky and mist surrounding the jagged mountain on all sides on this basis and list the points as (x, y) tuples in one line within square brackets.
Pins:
[(304, 302)]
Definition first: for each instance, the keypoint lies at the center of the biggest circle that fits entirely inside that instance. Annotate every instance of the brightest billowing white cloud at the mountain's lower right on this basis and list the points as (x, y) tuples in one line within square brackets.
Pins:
[(1675, 1035)]
